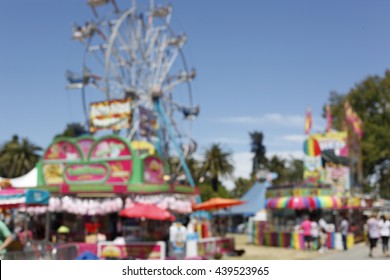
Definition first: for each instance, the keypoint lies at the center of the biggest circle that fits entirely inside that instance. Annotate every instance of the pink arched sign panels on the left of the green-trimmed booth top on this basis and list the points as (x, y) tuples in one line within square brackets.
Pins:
[(107, 160)]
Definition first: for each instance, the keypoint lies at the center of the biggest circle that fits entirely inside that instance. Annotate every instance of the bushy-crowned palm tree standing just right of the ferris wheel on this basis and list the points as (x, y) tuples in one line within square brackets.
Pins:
[(216, 163)]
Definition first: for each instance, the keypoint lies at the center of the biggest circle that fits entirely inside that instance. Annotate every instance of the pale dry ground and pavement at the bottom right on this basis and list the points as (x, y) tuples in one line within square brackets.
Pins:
[(254, 252)]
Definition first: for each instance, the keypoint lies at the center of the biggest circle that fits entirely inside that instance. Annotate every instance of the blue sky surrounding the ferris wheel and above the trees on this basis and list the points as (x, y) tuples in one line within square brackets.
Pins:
[(260, 64)]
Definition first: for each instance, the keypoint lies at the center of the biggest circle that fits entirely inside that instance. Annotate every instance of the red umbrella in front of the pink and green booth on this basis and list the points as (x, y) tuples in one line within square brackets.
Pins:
[(146, 211)]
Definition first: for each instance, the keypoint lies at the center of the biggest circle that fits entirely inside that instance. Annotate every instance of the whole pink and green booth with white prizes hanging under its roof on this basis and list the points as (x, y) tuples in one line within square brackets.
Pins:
[(91, 180)]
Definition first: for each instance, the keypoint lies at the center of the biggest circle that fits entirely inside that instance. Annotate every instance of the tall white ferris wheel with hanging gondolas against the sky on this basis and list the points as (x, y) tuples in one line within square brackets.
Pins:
[(133, 54)]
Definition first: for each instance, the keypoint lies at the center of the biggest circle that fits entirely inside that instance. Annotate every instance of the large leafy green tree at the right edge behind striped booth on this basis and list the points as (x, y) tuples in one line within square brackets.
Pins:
[(370, 99)]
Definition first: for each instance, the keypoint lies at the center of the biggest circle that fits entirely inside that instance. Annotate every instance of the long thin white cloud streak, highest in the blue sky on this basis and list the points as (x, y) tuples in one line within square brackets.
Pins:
[(274, 119)]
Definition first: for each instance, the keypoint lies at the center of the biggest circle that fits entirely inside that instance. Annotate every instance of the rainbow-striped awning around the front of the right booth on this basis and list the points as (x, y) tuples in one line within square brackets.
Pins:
[(300, 202)]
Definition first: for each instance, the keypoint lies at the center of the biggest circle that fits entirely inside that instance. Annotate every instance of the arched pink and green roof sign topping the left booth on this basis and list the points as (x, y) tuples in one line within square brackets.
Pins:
[(109, 164)]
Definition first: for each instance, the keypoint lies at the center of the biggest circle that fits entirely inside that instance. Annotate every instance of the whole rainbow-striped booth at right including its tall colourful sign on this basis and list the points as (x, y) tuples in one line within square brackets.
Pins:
[(326, 193)]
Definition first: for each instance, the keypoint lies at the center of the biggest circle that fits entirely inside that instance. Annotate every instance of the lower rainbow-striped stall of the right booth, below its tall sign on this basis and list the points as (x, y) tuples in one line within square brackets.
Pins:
[(287, 205)]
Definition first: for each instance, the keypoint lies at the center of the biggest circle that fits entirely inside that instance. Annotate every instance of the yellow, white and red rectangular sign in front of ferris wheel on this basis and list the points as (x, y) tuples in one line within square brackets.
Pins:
[(110, 114)]
